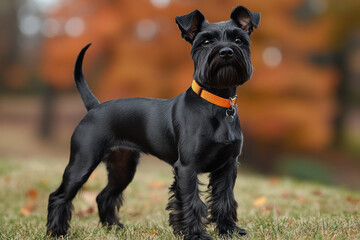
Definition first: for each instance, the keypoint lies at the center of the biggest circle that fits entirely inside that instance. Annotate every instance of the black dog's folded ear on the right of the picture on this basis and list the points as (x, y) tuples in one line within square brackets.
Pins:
[(245, 19)]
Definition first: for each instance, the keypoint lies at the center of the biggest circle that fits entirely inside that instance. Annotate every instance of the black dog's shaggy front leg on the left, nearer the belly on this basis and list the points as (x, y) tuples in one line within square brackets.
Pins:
[(189, 211)]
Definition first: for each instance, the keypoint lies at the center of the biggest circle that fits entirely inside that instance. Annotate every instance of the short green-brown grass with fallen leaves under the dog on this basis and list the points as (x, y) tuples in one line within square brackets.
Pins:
[(269, 208)]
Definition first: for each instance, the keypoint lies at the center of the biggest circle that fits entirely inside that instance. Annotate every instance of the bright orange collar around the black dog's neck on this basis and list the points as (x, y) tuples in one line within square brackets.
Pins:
[(214, 99)]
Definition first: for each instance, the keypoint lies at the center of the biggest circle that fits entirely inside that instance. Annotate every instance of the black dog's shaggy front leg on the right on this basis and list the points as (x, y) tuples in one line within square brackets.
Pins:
[(222, 202)]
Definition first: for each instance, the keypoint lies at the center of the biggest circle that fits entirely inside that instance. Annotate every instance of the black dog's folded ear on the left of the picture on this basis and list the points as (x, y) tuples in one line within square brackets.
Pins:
[(190, 24)]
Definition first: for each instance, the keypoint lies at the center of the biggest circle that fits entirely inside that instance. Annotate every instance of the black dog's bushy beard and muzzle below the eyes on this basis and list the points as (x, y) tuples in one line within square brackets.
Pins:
[(227, 73)]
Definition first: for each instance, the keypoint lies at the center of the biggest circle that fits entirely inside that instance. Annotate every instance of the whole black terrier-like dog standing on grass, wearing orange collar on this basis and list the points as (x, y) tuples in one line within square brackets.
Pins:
[(196, 132)]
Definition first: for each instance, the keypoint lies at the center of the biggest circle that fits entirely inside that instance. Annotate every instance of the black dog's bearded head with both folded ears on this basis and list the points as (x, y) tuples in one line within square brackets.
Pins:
[(220, 51)]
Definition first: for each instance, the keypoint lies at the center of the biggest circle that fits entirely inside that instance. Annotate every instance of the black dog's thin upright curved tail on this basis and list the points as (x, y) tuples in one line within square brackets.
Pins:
[(87, 96)]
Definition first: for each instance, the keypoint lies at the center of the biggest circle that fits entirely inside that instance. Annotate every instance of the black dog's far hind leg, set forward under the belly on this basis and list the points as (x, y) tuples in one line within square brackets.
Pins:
[(121, 167)]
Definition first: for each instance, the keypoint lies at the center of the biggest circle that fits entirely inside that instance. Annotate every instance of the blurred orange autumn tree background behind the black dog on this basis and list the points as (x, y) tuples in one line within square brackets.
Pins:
[(300, 113)]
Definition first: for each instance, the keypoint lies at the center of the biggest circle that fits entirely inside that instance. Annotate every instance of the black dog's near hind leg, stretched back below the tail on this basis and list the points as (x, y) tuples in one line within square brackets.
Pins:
[(84, 158)]
